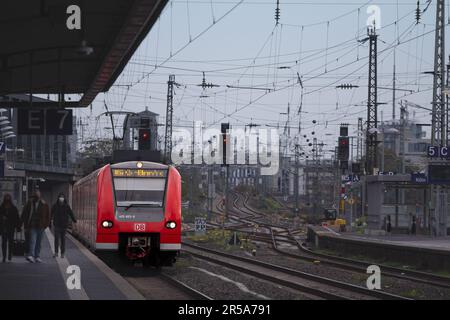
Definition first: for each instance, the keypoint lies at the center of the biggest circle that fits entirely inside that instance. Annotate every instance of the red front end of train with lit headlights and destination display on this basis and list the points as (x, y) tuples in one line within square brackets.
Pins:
[(147, 199)]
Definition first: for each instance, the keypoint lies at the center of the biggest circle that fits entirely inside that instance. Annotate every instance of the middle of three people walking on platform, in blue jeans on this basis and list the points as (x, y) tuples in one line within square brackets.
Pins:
[(36, 218)]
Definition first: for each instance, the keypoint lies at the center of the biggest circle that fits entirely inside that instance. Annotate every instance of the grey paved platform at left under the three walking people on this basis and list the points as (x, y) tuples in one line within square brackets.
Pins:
[(23, 280)]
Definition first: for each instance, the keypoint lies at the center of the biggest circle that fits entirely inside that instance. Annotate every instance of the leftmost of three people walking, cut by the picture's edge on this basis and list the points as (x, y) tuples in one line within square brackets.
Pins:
[(9, 223)]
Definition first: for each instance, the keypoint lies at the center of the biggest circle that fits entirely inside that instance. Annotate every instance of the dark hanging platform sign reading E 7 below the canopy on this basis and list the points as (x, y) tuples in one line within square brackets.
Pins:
[(45, 121)]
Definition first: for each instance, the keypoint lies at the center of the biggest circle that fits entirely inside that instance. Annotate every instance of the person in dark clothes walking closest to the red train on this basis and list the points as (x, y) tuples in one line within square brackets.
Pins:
[(60, 214)]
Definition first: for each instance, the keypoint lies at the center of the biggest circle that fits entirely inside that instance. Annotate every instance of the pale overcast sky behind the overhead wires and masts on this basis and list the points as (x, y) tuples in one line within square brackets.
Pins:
[(245, 48)]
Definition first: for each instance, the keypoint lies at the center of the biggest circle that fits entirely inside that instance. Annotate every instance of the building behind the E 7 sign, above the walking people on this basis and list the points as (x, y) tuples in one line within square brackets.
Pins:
[(37, 161)]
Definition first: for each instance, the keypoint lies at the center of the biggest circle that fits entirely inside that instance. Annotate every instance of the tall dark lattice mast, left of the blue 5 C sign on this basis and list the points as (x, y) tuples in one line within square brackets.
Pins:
[(372, 105)]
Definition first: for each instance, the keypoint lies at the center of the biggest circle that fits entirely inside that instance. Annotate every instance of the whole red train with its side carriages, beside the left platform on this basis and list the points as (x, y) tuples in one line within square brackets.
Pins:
[(131, 207)]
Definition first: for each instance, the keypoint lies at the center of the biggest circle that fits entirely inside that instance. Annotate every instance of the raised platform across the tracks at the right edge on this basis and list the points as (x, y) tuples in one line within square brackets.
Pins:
[(422, 252)]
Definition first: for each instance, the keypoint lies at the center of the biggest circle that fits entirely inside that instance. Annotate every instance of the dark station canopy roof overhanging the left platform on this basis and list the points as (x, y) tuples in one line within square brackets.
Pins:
[(40, 55)]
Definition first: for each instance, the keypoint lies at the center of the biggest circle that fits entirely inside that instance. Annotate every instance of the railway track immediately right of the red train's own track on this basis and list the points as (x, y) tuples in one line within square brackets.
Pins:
[(317, 286)]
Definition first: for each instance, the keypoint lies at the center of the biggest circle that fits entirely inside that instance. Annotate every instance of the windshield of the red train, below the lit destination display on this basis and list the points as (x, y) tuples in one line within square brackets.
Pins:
[(139, 192)]
